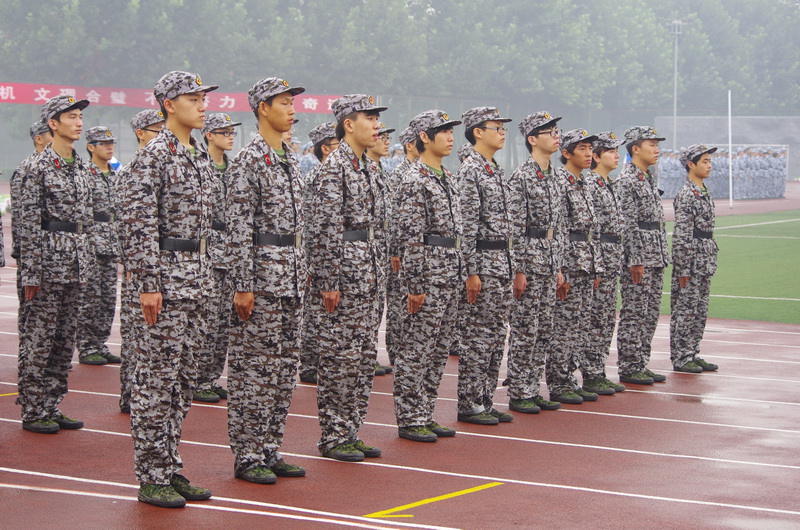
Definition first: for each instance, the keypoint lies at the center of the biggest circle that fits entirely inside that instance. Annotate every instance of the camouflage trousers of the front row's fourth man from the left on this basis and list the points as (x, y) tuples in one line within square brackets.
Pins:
[(419, 365)]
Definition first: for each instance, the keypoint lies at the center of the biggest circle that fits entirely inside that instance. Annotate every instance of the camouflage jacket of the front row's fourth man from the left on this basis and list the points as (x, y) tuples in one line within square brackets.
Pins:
[(429, 205)]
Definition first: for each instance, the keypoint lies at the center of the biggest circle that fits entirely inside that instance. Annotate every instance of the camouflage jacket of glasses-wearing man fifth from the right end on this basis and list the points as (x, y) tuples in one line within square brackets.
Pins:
[(535, 205)]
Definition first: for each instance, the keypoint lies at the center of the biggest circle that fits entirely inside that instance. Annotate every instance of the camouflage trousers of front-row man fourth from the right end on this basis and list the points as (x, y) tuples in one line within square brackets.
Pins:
[(569, 329)]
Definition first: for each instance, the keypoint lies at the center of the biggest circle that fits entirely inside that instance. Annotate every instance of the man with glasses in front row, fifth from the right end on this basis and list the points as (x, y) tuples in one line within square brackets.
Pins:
[(537, 196)]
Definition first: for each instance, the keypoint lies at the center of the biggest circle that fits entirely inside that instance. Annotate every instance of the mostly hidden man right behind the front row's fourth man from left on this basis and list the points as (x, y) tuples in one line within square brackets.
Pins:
[(395, 294)]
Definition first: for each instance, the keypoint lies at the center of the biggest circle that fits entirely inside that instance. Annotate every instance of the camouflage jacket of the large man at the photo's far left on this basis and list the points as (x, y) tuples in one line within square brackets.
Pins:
[(53, 191)]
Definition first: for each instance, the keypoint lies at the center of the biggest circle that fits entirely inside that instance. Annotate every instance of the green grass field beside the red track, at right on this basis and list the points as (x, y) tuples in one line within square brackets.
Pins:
[(758, 274)]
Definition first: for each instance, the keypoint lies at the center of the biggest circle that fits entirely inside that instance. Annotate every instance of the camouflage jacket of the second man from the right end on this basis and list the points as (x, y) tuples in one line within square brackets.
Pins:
[(640, 202)]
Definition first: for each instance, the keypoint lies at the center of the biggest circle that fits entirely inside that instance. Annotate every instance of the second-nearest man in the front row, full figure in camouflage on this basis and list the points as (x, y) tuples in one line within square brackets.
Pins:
[(269, 276)]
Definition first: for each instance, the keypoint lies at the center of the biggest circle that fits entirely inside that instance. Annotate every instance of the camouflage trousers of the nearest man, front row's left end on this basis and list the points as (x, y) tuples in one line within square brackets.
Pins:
[(163, 386)]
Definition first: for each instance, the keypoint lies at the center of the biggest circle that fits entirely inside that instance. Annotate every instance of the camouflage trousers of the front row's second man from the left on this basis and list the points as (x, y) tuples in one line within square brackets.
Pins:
[(261, 377)]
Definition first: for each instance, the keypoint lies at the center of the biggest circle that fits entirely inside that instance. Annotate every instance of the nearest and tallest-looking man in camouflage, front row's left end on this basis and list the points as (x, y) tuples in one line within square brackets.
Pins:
[(167, 213)]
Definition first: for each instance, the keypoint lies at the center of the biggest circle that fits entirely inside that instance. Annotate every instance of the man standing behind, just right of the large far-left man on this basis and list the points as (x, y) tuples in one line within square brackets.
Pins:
[(99, 294)]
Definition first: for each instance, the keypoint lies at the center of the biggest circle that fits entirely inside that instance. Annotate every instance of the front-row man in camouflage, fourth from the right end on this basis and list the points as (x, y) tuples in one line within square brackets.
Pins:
[(582, 267)]
